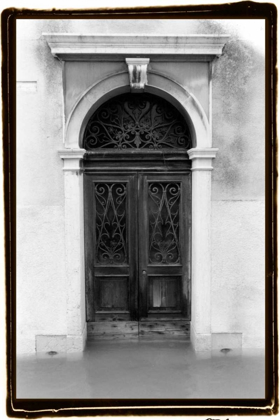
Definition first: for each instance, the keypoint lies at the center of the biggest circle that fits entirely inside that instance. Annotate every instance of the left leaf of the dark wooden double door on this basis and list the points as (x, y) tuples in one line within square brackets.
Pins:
[(111, 242)]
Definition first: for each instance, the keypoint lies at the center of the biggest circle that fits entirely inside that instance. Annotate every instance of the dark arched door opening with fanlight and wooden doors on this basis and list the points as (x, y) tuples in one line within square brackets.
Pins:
[(137, 194)]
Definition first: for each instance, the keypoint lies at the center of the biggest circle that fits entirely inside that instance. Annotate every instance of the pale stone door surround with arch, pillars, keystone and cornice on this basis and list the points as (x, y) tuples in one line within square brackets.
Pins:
[(202, 154)]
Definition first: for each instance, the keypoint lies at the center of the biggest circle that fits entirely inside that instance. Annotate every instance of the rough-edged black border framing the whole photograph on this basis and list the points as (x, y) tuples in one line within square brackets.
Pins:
[(41, 408)]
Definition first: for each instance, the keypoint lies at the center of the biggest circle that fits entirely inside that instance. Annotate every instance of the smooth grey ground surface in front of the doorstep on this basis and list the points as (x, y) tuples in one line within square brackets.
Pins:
[(142, 369)]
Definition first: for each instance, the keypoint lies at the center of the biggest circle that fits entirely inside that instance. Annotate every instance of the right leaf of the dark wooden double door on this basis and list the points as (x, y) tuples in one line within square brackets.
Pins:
[(164, 241)]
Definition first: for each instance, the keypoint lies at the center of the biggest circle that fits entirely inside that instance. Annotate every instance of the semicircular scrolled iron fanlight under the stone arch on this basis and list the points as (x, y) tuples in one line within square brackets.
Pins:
[(137, 121)]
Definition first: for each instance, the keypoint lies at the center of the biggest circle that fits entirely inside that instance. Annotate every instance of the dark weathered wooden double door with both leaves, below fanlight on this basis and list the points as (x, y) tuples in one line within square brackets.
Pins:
[(137, 247)]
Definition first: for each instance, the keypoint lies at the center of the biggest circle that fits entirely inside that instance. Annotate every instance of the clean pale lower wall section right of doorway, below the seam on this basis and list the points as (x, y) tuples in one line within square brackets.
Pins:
[(238, 270)]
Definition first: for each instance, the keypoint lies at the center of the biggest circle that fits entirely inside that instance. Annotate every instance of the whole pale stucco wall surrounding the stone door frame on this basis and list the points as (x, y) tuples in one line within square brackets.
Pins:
[(238, 178)]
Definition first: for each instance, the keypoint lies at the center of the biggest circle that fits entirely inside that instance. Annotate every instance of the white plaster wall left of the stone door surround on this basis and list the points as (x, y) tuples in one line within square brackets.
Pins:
[(41, 288)]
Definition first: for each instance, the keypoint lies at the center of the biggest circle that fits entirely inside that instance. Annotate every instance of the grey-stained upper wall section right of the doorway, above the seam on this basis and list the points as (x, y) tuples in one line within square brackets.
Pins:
[(238, 116)]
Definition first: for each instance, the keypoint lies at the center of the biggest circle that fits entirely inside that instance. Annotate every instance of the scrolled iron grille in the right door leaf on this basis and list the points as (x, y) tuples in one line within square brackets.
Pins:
[(164, 208)]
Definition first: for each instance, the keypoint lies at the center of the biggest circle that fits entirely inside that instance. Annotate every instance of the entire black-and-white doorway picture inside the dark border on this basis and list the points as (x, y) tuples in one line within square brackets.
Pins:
[(141, 209)]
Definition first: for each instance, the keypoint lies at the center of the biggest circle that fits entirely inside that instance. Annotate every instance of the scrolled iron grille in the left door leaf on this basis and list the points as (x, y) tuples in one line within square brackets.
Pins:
[(111, 244)]
